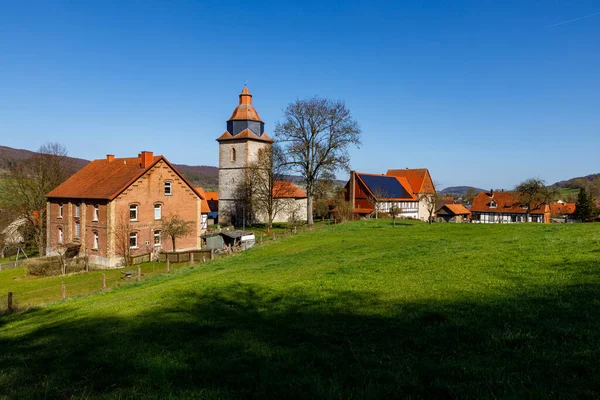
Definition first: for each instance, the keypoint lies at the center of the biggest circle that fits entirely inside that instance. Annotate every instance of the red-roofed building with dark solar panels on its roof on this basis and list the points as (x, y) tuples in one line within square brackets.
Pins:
[(406, 190)]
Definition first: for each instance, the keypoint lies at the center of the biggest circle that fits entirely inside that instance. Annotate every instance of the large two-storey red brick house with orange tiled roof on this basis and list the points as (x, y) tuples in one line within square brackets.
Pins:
[(116, 206)]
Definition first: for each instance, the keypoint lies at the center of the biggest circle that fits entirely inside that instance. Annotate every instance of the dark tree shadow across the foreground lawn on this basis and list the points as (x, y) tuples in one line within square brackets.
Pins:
[(246, 341)]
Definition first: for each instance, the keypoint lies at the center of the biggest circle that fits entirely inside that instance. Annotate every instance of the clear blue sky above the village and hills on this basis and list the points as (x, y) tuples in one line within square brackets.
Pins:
[(483, 93)]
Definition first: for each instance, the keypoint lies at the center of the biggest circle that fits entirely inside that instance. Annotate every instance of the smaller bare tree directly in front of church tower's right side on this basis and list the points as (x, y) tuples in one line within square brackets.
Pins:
[(265, 181)]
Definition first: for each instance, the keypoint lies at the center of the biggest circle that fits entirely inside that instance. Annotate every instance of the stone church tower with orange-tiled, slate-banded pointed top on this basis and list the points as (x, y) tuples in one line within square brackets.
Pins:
[(238, 149)]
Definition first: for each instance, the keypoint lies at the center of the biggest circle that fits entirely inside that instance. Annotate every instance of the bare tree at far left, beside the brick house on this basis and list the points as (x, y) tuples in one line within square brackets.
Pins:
[(27, 183)]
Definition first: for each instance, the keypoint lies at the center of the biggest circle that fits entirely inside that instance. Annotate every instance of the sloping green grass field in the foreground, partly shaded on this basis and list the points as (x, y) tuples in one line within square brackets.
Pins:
[(361, 310)]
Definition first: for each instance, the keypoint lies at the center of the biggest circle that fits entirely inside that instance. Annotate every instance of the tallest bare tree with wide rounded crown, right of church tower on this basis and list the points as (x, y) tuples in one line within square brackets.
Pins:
[(316, 134)]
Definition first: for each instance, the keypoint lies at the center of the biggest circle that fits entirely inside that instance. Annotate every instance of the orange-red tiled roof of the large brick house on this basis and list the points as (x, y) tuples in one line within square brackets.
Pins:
[(107, 178)]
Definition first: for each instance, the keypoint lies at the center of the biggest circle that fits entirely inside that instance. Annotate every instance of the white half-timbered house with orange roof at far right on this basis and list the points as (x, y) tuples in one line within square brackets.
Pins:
[(504, 207)]
